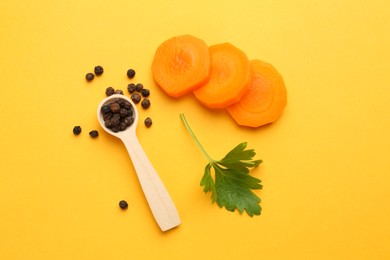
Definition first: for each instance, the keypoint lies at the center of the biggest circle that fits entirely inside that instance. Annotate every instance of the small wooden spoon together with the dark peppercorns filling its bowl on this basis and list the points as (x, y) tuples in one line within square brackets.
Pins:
[(118, 116)]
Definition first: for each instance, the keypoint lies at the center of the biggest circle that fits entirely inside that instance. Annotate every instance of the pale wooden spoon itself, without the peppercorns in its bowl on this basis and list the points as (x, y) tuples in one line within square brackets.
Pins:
[(160, 203)]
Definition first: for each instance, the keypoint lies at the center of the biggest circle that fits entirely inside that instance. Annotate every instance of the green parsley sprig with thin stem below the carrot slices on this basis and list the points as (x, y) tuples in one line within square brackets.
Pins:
[(232, 187)]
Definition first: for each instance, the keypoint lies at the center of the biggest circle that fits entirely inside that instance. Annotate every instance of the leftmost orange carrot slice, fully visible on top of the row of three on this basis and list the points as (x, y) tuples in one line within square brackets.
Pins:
[(181, 64)]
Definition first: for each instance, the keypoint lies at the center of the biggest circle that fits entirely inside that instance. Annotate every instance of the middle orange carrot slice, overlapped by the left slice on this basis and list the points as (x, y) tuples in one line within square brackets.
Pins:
[(230, 77)]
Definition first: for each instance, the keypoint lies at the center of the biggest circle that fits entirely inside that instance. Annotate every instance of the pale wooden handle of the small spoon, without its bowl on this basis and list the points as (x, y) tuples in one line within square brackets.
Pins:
[(160, 203)]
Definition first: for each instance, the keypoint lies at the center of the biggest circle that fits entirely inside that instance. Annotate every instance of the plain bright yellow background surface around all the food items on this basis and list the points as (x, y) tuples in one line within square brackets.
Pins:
[(326, 169)]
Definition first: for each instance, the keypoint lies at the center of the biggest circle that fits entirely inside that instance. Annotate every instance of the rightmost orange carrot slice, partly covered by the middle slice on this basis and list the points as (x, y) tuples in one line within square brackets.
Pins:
[(265, 100)]
